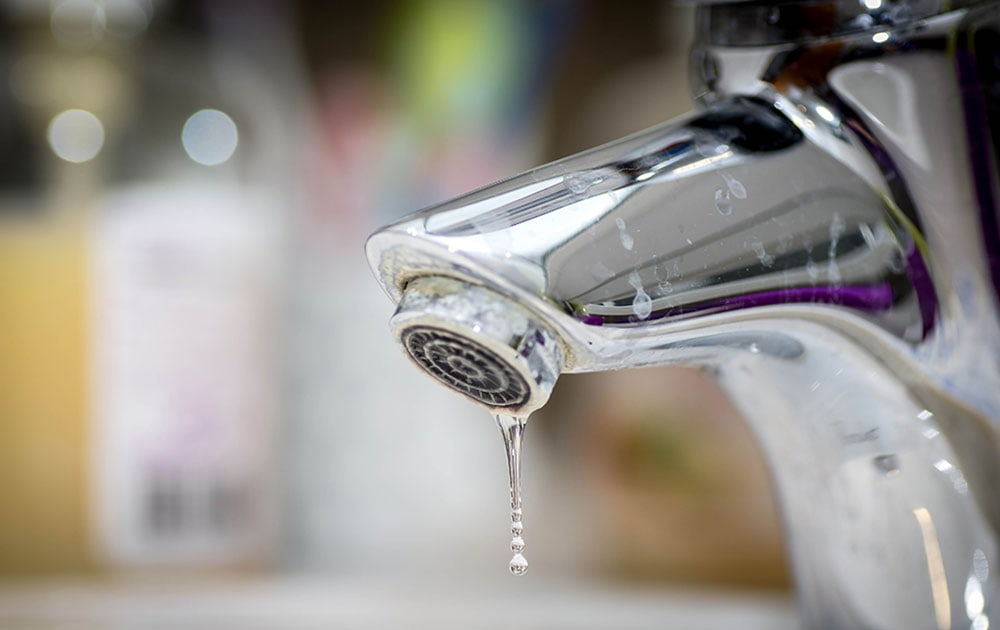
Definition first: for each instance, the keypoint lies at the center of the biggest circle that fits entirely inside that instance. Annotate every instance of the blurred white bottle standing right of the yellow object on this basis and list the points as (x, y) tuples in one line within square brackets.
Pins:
[(187, 258)]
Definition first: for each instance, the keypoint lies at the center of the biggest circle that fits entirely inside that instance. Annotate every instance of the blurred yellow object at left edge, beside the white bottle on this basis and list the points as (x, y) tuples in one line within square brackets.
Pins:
[(43, 470)]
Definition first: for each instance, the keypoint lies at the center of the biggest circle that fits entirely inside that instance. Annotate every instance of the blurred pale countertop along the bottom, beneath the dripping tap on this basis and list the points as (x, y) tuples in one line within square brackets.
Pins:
[(294, 603)]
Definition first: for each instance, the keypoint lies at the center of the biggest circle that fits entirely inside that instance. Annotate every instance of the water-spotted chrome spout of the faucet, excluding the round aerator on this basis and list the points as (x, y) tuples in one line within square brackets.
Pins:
[(660, 230)]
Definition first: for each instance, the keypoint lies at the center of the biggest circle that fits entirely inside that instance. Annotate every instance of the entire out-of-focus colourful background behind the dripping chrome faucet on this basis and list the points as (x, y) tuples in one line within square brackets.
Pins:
[(199, 398)]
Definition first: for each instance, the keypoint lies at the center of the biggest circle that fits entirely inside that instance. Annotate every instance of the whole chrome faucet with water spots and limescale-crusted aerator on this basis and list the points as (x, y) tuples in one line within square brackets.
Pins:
[(821, 237)]
